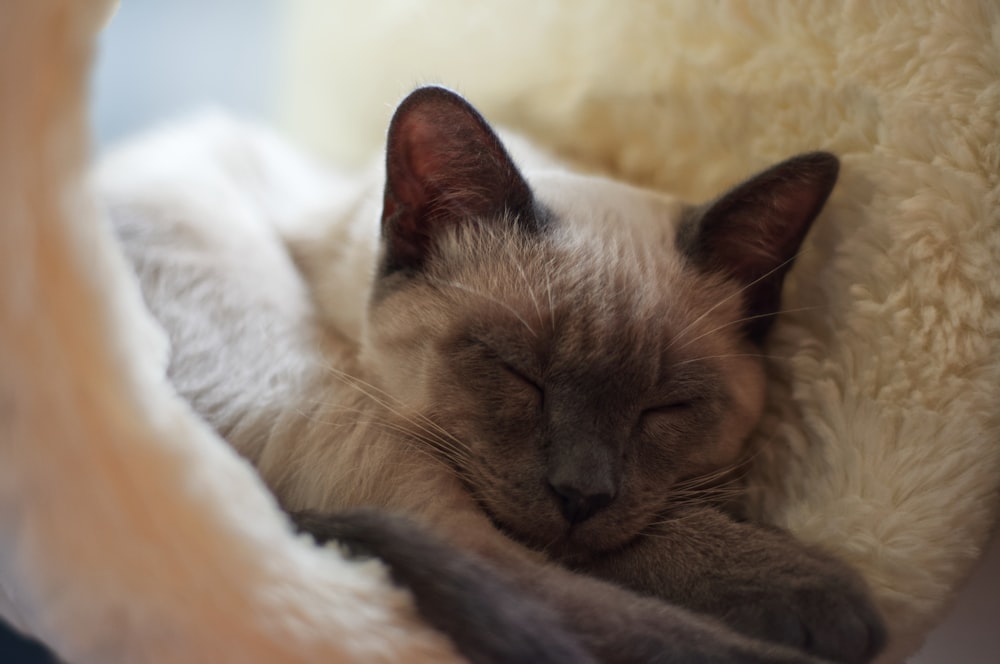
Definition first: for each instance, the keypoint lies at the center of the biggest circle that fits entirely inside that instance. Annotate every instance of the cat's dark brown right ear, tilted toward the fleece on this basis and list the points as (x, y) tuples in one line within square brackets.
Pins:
[(753, 232)]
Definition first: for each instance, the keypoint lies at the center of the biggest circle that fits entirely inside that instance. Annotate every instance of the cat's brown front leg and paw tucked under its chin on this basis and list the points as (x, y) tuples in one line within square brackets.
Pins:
[(758, 580)]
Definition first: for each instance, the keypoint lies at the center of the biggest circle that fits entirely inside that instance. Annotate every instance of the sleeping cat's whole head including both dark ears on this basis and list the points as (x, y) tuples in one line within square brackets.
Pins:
[(573, 347)]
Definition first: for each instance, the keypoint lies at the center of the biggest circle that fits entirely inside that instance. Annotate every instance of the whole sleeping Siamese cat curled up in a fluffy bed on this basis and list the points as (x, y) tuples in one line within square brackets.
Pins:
[(543, 372)]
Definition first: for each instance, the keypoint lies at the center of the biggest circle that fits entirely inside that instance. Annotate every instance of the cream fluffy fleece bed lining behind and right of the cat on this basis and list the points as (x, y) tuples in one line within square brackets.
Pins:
[(881, 439)]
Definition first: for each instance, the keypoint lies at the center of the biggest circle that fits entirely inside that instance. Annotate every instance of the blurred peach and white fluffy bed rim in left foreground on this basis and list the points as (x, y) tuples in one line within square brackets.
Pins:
[(128, 531)]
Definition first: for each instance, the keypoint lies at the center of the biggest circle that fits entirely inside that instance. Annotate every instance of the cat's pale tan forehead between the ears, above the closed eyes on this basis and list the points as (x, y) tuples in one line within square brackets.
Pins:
[(603, 284)]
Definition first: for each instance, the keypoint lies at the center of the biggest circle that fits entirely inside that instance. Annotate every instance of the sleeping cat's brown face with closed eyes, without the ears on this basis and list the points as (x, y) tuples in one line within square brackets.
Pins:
[(571, 360)]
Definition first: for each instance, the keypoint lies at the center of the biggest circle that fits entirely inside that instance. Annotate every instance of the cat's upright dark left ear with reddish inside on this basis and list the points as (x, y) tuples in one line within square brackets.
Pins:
[(444, 166)]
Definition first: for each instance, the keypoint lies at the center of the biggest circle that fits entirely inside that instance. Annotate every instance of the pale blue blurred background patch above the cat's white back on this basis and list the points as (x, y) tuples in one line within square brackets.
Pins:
[(160, 59)]
